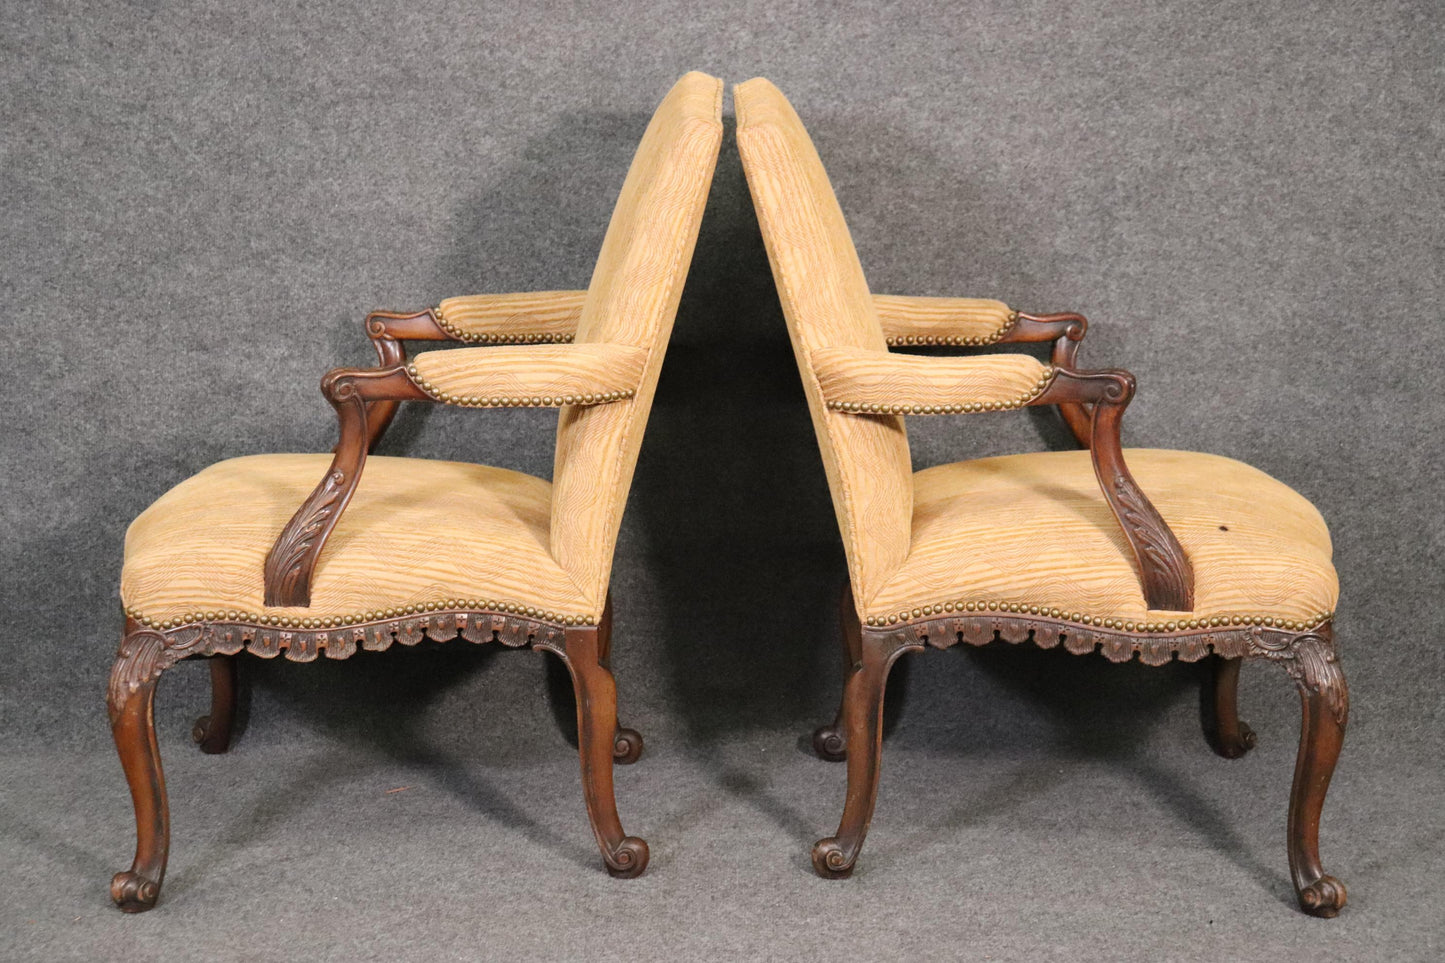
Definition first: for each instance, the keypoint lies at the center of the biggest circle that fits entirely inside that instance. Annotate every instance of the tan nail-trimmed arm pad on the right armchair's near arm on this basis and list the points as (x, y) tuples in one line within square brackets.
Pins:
[(927, 385)]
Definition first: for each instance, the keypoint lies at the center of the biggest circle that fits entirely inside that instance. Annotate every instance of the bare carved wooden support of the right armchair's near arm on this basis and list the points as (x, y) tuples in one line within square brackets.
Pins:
[(1164, 570)]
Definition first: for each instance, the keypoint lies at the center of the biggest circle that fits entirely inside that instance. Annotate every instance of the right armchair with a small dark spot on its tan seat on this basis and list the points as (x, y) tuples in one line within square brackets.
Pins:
[(1217, 562)]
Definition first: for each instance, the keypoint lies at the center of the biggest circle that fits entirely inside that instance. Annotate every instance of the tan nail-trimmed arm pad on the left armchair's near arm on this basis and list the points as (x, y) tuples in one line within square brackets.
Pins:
[(548, 372)]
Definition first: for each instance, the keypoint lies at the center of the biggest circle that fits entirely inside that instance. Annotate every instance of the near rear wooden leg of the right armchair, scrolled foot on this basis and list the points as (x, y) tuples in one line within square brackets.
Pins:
[(863, 721)]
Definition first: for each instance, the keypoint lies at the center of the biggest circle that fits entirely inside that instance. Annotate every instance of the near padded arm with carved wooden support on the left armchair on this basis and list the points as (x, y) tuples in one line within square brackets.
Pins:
[(547, 377)]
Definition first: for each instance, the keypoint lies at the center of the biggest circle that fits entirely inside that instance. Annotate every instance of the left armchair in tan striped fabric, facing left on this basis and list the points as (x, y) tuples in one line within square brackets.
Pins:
[(397, 550)]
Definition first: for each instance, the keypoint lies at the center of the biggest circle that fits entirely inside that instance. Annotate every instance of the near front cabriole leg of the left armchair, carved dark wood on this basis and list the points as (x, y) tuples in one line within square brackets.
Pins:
[(142, 659)]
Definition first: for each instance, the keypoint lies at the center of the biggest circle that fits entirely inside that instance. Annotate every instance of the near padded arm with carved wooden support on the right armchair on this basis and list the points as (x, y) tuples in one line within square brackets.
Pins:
[(863, 382)]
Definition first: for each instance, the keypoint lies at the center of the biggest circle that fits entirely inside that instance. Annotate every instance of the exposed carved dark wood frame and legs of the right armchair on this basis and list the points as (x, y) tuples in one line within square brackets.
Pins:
[(1093, 406)]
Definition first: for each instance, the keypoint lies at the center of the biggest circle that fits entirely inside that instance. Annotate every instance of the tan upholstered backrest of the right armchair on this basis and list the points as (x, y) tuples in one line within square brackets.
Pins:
[(827, 304)]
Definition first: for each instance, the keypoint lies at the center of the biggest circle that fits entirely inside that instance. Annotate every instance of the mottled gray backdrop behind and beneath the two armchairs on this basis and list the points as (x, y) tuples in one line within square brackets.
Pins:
[(202, 202)]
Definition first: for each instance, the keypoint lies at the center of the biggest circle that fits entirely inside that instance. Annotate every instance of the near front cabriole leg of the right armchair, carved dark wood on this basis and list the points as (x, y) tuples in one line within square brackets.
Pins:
[(1324, 696)]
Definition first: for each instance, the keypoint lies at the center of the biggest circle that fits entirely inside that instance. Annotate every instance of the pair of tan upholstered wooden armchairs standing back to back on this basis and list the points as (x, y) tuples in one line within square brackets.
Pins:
[(311, 556)]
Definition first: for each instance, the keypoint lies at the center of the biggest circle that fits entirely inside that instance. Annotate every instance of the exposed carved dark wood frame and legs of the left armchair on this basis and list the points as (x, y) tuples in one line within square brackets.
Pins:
[(366, 401)]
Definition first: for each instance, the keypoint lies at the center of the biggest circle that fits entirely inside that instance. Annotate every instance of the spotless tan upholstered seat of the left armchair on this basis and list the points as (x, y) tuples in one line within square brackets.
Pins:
[(417, 533)]
